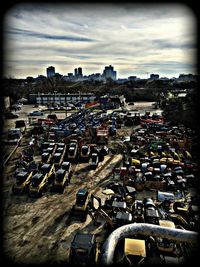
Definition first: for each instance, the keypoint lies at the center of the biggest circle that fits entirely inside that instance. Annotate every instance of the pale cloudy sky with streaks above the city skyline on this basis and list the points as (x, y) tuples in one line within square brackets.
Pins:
[(135, 39)]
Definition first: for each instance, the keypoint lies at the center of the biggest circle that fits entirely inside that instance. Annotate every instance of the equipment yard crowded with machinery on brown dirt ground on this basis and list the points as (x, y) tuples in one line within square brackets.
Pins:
[(104, 186)]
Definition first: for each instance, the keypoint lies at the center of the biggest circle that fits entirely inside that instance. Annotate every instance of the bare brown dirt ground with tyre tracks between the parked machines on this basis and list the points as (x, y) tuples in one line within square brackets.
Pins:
[(38, 230)]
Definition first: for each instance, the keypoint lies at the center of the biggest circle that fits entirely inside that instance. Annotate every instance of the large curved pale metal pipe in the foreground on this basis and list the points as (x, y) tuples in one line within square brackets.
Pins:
[(109, 245)]
